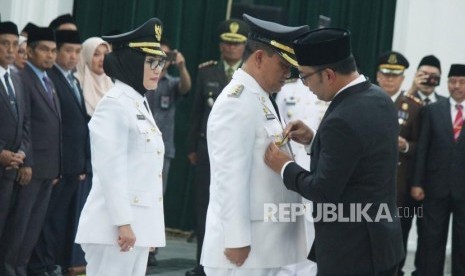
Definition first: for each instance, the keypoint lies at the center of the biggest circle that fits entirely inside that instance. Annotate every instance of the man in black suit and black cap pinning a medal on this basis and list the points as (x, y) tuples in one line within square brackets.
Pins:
[(354, 161)]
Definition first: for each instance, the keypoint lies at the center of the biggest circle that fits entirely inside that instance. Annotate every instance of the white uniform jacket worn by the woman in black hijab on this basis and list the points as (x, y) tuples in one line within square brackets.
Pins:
[(127, 161)]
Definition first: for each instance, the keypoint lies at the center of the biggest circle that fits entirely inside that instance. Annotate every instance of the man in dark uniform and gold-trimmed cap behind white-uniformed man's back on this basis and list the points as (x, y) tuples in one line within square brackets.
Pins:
[(212, 77)]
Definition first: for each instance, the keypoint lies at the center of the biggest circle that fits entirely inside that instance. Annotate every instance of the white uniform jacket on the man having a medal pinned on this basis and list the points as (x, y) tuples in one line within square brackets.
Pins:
[(241, 125)]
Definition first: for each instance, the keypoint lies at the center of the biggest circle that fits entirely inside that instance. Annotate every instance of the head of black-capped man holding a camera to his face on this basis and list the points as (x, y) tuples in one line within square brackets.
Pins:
[(426, 80)]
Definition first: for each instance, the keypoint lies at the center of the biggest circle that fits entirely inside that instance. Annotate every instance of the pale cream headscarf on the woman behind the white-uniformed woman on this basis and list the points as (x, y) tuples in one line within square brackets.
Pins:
[(93, 86)]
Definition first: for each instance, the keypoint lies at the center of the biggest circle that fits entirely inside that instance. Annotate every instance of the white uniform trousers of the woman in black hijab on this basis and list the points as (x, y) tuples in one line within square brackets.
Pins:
[(108, 260)]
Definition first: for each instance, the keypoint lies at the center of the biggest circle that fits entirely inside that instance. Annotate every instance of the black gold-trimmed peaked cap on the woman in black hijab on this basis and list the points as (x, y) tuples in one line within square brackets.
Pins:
[(145, 39)]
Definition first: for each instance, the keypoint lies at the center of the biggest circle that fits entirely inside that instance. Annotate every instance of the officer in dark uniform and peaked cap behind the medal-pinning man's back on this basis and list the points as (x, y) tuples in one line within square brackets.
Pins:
[(390, 75)]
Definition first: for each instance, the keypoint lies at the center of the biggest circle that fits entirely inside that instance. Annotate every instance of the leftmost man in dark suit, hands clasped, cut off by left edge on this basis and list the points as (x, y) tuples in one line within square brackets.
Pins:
[(14, 132)]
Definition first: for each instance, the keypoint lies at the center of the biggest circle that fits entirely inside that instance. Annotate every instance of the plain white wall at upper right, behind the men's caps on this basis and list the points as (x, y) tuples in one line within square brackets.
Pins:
[(424, 27)]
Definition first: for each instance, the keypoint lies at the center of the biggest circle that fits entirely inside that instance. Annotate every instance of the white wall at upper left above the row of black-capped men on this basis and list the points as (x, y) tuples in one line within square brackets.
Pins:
[(39, 12)]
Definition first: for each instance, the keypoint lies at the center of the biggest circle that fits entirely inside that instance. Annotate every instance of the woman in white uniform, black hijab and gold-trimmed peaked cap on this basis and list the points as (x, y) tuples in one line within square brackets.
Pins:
[(123, 215)]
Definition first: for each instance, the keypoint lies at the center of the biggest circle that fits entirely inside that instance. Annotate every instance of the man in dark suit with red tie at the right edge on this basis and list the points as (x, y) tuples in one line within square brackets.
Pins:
[(440, 177)]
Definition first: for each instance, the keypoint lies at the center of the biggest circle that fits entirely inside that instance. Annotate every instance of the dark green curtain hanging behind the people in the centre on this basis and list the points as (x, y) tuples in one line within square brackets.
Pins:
[(190, 26)]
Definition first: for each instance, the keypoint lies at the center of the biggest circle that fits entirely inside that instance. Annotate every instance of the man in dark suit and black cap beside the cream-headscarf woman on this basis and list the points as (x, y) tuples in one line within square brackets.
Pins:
[(56, 241)]
